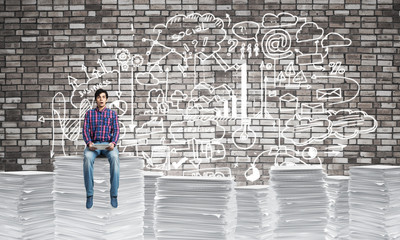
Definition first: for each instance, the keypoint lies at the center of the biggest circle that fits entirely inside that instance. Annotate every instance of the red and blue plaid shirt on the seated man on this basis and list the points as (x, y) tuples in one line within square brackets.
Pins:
[(100, 126)]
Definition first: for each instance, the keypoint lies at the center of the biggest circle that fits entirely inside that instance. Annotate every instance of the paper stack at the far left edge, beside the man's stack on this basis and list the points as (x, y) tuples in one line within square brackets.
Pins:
[(26, 205)]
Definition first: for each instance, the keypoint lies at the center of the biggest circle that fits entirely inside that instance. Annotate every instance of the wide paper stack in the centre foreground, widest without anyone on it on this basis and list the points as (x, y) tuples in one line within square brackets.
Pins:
[(195, 208)]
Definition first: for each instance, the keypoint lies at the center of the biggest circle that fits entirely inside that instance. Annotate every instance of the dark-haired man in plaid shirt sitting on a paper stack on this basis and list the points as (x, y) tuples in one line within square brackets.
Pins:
[(101, 127)]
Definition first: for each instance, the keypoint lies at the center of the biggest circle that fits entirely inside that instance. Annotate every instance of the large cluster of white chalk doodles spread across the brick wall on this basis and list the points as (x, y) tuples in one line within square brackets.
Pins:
[(183, 124)]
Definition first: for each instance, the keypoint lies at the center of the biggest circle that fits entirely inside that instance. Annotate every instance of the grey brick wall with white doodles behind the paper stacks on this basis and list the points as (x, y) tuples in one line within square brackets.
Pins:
[(44, 45)]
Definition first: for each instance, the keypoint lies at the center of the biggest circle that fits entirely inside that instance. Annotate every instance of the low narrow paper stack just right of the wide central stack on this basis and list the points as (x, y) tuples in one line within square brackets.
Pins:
[(253, 218)]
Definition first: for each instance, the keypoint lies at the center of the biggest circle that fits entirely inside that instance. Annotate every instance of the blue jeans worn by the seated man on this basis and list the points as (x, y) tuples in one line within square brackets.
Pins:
[(88, 162)]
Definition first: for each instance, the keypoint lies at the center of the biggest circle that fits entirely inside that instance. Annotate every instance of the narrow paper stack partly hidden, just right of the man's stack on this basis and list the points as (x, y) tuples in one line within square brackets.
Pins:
[(150, 180)]
